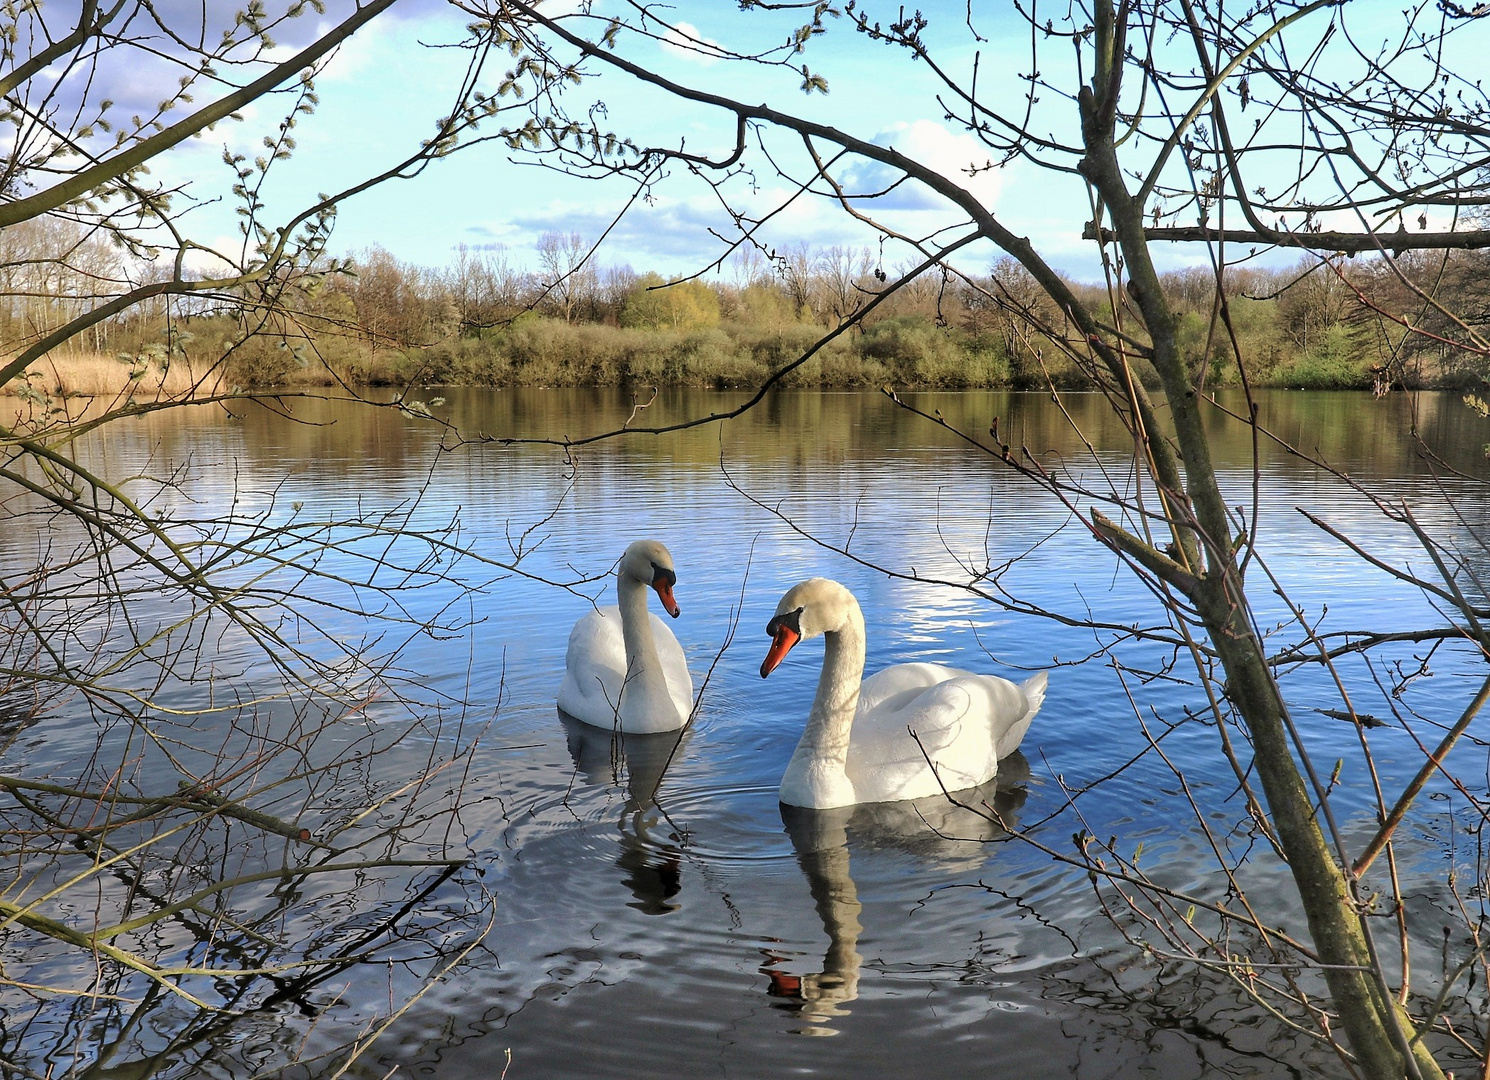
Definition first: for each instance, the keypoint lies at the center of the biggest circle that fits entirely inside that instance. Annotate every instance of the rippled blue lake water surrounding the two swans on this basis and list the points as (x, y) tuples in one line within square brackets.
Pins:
[(704, 933)]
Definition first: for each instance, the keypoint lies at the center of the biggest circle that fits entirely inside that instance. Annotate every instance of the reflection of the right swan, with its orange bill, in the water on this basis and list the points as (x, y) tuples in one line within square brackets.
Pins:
[(932, 828)]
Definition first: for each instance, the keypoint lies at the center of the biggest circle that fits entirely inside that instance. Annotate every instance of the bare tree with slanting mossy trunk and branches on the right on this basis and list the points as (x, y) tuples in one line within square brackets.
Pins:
[(1153, 121)]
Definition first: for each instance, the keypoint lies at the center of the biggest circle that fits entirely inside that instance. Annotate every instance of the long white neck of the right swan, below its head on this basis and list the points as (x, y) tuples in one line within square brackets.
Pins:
[(816, 775)]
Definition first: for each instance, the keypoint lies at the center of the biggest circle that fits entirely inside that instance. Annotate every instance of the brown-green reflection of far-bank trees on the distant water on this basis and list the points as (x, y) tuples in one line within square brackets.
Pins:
[(1364, 437)]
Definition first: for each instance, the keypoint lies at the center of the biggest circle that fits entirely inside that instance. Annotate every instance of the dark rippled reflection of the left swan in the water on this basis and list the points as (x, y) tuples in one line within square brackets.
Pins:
[(653, 868)]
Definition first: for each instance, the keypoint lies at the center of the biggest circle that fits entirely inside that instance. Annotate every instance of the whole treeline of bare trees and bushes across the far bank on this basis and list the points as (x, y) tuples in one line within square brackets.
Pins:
[(486, 321)]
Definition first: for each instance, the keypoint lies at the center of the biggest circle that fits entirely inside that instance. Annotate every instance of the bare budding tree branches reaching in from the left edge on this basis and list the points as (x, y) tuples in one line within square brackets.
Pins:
[(193, 856)]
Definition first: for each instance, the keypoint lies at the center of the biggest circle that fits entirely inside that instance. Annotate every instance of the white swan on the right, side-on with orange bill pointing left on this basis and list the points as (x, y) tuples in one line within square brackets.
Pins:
[(859, 746)]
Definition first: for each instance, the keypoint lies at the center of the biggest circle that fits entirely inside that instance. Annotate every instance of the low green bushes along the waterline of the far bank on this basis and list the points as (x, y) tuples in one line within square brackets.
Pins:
[(908, 352)]
